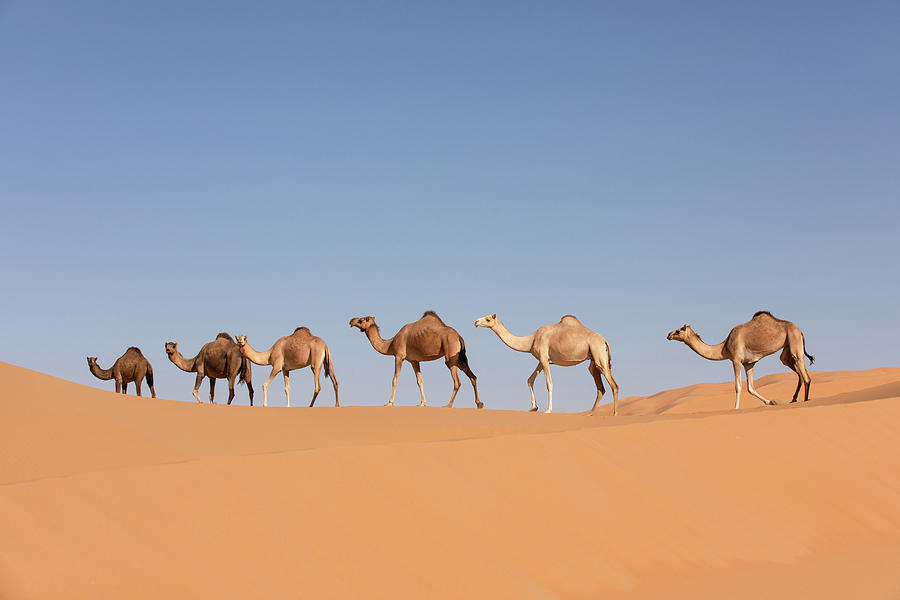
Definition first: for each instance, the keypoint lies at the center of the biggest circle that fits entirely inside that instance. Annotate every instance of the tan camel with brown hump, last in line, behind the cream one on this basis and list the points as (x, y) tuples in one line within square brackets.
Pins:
[(747, 343)]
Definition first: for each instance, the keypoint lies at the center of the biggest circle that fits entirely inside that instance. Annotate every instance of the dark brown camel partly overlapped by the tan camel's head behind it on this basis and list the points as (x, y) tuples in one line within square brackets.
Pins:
[(219, 359)]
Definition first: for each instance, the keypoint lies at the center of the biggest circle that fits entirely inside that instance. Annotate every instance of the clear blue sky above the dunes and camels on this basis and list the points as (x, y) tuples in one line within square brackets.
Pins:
[(169, 170)]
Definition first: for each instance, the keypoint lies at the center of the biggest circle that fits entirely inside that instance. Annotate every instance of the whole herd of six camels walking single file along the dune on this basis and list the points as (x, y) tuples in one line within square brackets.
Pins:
[(566, 343)]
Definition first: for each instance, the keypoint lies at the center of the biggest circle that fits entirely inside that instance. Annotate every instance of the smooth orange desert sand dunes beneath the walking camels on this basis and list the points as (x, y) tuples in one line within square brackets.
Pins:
[(111, 496)]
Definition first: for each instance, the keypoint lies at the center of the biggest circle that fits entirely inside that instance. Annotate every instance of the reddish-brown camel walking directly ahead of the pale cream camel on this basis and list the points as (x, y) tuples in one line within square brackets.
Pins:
[(426, 339)]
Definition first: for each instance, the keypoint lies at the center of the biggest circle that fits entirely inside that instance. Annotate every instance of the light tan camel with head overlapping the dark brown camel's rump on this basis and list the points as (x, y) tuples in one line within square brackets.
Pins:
[(296, 351)]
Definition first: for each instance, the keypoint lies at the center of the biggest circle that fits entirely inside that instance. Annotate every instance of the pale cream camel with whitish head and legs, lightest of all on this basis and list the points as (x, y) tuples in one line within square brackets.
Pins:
[(566, 343)]
